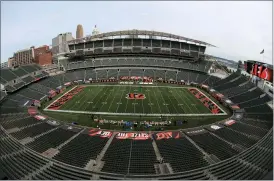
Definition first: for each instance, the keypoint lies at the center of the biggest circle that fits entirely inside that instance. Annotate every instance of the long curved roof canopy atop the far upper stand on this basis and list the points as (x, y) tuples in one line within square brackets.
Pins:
[(138, 32)]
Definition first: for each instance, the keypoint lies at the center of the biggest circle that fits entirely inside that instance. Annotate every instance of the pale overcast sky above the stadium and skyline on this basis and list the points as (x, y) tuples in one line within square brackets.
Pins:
[(240, 30)]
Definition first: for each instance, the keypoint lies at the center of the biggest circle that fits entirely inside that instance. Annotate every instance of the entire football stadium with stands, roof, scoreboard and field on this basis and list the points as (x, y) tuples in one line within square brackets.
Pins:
[(136, 104)]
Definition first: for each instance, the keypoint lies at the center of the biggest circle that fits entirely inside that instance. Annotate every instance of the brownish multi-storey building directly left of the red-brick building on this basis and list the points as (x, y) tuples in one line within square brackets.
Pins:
[(23, 57)]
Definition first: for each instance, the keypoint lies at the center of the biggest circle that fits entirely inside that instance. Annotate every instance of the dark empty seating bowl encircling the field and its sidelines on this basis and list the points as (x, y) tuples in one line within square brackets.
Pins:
[(243, 150)]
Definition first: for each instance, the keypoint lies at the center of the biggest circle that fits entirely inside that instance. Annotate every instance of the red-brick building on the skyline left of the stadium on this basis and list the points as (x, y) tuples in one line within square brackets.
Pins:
[(43, 55)]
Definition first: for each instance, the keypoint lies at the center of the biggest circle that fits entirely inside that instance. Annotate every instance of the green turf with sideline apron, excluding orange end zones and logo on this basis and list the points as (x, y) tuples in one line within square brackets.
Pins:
[(106, 101)]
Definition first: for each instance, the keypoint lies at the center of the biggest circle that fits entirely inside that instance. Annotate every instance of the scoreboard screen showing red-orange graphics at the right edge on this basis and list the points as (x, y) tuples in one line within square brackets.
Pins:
[(262, 70)]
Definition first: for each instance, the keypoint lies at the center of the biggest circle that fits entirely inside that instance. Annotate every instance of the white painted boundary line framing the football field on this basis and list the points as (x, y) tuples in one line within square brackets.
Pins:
[(133, 114)]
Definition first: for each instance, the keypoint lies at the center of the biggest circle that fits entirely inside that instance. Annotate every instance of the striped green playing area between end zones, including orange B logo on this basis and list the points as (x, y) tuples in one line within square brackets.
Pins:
[(135, 100)]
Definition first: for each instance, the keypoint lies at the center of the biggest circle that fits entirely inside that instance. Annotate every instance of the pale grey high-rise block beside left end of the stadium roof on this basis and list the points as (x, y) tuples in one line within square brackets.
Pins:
[(59, 43)]
